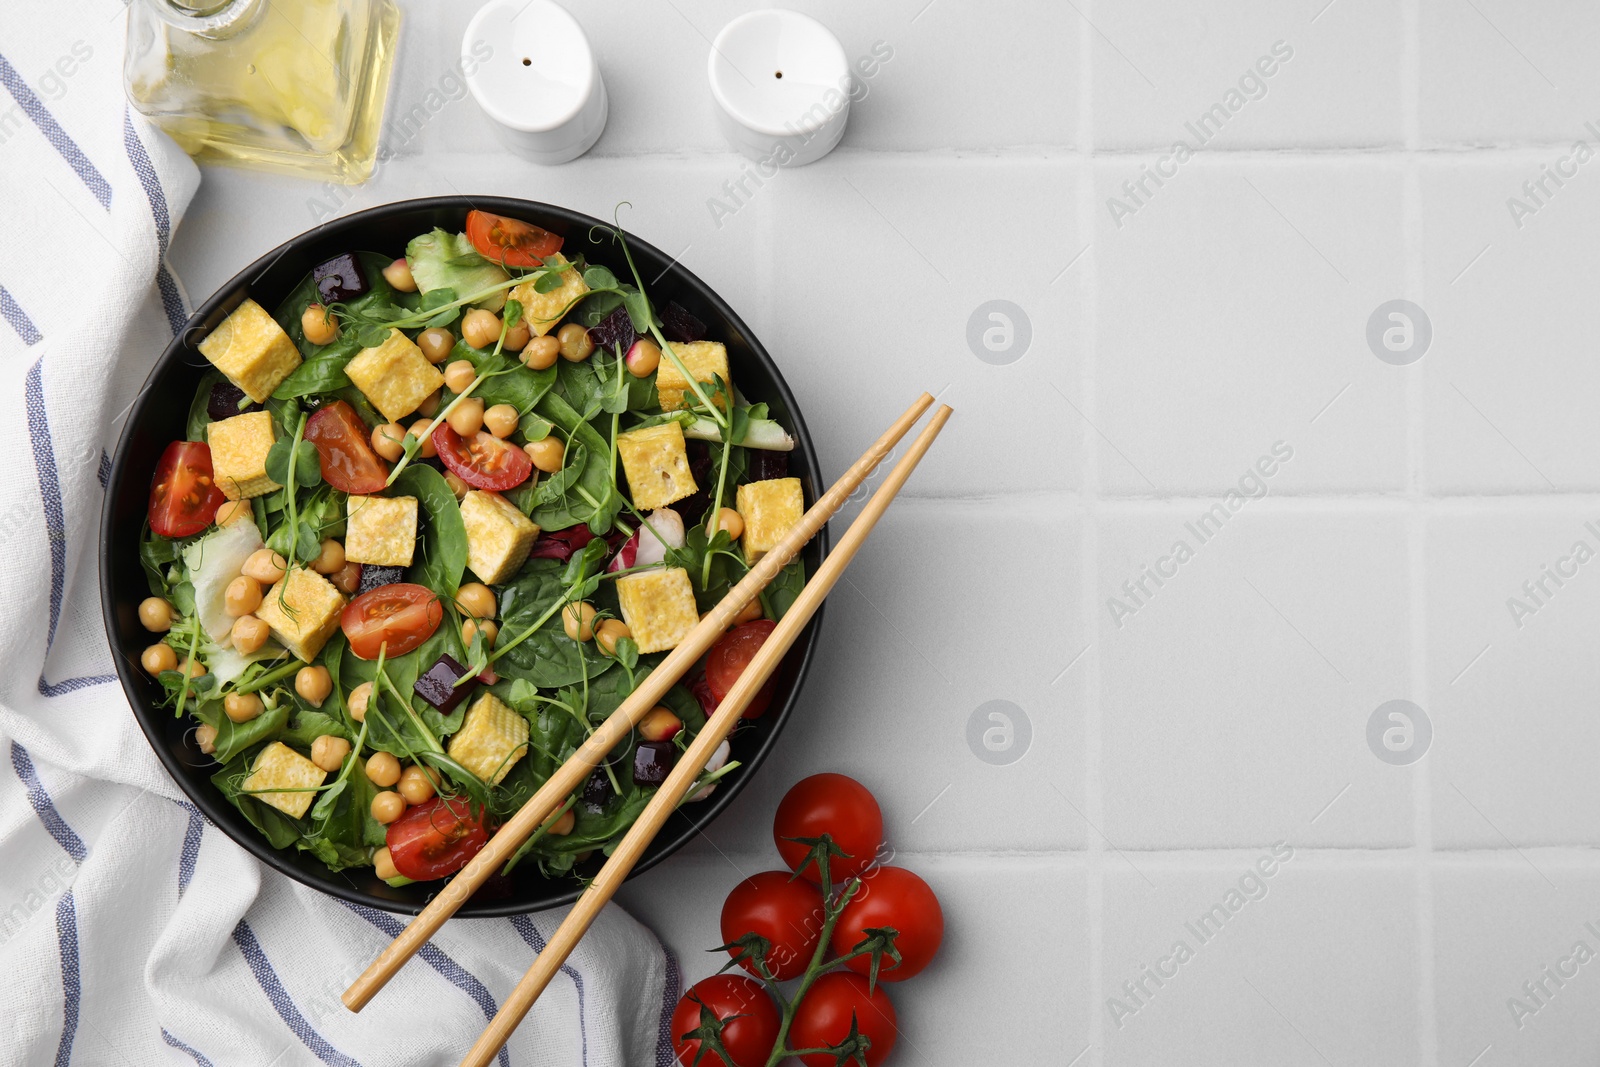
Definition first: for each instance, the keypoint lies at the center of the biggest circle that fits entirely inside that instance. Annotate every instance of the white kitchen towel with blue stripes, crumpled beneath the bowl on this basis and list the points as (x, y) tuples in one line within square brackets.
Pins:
[(132, 932)]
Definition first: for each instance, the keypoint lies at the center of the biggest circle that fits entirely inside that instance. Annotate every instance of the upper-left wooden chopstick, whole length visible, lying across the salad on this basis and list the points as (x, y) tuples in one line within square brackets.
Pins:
[(570, 777)]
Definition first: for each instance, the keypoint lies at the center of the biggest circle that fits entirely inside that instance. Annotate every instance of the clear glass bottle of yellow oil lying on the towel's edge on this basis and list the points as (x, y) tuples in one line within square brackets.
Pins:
[(289, 86)]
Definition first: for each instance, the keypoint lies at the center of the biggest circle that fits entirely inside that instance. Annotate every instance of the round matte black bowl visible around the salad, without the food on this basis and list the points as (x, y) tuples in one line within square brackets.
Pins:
[(159, 418)]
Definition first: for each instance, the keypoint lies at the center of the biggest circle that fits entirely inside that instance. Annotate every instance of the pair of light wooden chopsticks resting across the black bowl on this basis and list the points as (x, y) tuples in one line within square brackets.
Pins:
[(689, 769)]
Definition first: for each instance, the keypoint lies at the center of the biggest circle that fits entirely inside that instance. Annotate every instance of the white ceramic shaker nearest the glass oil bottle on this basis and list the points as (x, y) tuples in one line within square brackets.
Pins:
[(540, 81)]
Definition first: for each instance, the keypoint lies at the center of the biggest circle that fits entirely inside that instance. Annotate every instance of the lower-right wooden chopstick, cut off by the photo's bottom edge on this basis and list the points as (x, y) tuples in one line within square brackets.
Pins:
[(694, 761)]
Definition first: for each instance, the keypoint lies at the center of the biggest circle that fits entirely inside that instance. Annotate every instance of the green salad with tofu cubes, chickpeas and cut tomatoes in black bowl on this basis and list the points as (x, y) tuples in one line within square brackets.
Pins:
[(431, 519)]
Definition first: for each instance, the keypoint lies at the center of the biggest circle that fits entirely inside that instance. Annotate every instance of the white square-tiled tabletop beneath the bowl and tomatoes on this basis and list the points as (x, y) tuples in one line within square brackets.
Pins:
[(1169, 353)]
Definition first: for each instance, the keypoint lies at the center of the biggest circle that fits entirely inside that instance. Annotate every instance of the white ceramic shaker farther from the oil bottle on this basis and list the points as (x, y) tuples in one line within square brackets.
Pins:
[(782, 84)]
